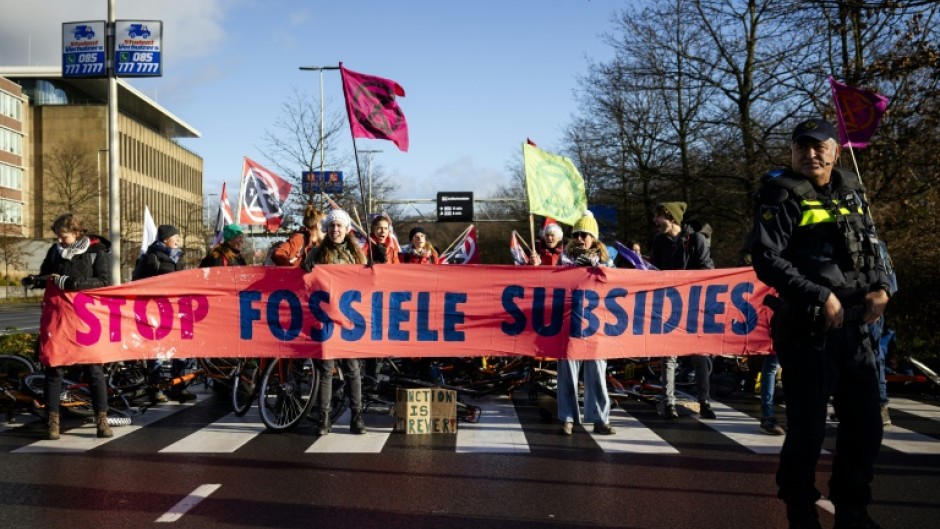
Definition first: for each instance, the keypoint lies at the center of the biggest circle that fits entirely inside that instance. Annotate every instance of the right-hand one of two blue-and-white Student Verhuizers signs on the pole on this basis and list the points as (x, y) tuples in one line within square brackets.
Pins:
[(138, 48)]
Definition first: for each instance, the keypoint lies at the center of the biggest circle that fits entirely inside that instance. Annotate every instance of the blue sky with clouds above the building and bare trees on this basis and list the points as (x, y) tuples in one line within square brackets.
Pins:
[(480, 76)]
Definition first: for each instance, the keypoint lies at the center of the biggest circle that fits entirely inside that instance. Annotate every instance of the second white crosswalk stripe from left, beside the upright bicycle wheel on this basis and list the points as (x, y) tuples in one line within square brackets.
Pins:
[(226, 435)]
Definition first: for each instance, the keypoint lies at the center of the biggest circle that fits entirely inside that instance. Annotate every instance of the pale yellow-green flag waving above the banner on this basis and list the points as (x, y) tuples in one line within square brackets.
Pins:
[(554, 186)]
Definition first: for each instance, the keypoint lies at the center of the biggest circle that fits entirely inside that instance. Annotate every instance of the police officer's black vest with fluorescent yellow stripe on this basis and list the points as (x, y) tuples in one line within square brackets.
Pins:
[(845, 210)]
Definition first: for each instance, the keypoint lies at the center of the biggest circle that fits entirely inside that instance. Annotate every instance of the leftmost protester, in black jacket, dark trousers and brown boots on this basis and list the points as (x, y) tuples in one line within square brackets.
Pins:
[(76, 262)]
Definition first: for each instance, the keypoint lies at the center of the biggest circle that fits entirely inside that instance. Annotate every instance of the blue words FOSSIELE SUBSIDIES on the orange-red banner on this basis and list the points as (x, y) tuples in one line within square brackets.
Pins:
[(396, 320)]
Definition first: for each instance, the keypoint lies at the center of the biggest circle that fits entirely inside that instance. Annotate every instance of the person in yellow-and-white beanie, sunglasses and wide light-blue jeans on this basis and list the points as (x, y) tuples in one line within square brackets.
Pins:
[(584, 250)]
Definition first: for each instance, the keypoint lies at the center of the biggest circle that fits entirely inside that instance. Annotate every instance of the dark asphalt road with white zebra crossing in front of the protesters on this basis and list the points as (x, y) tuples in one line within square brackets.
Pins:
[(197, 466)]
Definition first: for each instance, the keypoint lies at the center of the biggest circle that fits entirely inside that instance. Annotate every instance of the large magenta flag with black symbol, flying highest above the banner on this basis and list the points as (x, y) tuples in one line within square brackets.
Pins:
[(373, 112)]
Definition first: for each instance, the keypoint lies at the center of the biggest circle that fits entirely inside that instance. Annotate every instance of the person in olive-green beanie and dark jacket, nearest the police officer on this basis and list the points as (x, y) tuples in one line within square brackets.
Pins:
[(681, 248)]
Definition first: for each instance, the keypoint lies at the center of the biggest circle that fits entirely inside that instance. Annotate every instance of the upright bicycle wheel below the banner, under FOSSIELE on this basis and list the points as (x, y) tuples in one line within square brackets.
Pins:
[(287, 393)]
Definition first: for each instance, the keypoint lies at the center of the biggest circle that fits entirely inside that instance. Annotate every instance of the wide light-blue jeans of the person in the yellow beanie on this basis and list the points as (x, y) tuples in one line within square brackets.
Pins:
[(596, 399)]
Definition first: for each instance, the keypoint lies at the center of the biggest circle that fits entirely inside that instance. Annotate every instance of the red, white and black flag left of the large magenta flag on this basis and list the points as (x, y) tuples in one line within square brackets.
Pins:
[(263, 196)]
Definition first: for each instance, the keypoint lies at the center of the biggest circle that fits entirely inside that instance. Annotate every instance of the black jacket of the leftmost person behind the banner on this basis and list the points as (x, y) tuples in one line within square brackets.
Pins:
[(87, 266)]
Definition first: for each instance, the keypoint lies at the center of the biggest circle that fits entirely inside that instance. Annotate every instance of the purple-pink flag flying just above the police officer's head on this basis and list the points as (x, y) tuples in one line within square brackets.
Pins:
[(859, 112)]
